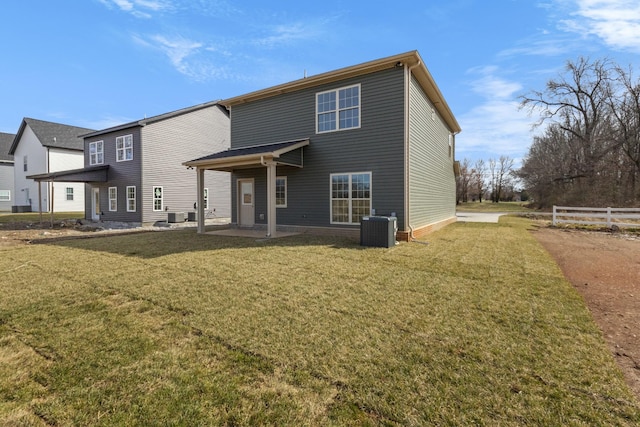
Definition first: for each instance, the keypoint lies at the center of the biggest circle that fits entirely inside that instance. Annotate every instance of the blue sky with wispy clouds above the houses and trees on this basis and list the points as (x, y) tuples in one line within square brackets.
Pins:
[(99, 63)]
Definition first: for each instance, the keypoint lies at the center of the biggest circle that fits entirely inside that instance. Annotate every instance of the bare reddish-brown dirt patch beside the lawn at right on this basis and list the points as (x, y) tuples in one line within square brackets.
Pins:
[(604, 267)]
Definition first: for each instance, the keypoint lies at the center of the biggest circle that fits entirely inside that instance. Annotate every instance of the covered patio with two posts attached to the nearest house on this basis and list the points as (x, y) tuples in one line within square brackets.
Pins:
[(268, 156)]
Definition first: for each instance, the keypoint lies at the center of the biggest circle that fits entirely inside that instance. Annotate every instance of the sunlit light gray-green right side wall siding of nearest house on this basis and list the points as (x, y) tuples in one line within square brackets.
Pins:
[(431, 175)]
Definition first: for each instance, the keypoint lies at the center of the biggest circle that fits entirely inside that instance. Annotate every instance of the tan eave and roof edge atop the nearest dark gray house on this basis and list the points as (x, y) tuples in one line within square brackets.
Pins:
[(411, 60)]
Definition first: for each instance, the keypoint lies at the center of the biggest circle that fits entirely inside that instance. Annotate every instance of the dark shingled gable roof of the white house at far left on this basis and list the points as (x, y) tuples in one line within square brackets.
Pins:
[(53, 135)]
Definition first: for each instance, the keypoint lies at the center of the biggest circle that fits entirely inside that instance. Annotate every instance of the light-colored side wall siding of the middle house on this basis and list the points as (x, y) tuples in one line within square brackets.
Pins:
[(168, 143)]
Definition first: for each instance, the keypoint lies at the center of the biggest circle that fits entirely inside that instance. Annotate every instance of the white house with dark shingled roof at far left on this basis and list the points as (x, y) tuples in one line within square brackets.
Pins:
[(42, 147)]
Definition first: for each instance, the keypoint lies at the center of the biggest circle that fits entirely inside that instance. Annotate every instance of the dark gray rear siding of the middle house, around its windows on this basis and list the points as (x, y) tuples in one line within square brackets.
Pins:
[(120, 175)]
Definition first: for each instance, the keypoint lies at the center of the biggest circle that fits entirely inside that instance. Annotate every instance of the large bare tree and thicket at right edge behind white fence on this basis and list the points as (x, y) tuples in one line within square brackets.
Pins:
[(590, 150)]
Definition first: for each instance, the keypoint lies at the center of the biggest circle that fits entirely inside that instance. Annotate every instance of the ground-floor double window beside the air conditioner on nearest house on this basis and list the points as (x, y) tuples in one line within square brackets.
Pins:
[(350, 197)]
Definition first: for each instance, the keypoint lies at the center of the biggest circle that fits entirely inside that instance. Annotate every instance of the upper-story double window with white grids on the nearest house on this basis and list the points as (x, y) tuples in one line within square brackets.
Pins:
[(338, 109)]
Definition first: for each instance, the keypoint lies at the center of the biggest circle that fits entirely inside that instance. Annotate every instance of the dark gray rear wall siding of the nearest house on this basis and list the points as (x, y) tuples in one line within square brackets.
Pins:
[(376, 147)]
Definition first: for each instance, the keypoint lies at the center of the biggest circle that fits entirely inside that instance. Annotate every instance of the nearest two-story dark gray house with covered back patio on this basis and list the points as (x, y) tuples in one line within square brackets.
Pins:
[(327, 150)]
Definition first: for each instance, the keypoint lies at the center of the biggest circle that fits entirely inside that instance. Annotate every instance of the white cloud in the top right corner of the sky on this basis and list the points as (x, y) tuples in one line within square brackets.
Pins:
[(616, 22)]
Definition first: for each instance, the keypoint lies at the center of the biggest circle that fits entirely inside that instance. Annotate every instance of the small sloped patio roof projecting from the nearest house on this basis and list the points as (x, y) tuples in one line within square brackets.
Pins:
[(254, 156)]
